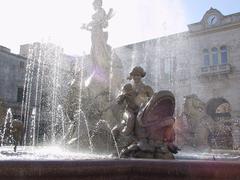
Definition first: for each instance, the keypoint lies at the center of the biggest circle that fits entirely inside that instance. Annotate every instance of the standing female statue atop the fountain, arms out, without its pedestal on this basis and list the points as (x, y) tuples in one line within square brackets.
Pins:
[(100, 51)]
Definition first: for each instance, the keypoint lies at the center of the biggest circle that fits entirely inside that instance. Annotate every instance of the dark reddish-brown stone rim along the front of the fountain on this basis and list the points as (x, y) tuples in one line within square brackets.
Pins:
[(115, 168)]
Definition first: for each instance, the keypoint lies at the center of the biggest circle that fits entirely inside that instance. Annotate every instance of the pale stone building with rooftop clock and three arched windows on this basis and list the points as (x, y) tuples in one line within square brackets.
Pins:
[(205, 60)]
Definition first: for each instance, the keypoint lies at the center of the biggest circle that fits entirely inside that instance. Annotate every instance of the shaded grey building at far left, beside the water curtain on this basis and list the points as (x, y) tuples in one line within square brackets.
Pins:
[(12, 72)]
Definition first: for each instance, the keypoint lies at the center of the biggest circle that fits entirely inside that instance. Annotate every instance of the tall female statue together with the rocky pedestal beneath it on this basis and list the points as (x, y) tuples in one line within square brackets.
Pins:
[(102, 78)]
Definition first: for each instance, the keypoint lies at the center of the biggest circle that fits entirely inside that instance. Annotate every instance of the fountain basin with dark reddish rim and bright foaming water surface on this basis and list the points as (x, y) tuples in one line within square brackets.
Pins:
[(102, 167)]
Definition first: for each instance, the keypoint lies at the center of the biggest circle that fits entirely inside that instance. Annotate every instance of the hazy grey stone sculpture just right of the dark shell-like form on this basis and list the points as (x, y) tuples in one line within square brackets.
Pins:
[(194, 126)]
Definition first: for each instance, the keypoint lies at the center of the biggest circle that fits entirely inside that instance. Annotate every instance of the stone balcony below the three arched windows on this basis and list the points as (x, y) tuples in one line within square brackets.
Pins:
[(216, 69)]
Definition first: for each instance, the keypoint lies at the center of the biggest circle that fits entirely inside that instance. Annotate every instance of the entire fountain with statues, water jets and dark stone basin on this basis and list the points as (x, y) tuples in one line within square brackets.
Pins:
[(85, 119)]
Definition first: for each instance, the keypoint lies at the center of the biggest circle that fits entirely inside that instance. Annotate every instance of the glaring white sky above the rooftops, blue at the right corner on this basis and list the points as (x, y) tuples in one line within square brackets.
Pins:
[(59, 21)]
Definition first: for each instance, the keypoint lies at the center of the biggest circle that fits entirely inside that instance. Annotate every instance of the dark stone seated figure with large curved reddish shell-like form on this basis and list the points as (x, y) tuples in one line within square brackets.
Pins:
[(147, 129)]
